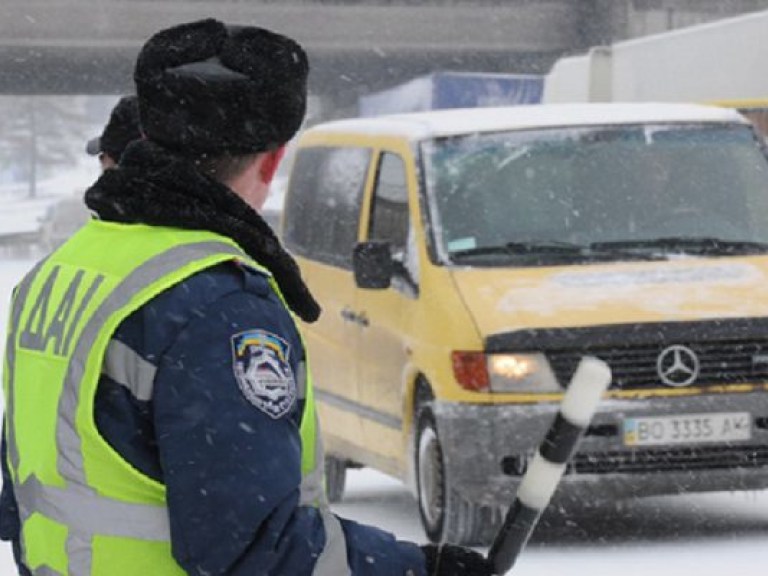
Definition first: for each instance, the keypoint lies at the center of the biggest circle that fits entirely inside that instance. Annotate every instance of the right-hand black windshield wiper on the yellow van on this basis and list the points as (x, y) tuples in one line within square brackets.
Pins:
[(687, 244)]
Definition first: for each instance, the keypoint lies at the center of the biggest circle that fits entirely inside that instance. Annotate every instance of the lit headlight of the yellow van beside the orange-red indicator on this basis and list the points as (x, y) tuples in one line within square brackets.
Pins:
[(521, 373)]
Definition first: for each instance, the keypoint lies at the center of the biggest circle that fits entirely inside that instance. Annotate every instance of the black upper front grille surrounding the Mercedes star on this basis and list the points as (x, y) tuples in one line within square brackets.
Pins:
[(634, 367)]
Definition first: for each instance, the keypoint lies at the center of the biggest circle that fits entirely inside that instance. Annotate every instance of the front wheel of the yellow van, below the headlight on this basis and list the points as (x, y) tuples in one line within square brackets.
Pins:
[(445, 515)]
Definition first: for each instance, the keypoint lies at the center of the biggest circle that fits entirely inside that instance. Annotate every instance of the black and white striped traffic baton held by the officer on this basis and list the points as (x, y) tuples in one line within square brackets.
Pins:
[(591, 379)]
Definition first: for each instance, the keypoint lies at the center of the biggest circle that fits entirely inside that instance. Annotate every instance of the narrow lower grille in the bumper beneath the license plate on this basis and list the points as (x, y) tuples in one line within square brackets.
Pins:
[(669, 460)]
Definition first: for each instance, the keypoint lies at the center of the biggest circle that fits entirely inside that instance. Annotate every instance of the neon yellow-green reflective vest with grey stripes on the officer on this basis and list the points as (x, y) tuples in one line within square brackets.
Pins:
[(84, 510)]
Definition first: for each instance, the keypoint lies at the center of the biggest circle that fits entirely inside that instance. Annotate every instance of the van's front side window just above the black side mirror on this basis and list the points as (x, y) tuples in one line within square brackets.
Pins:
[(390, 219)]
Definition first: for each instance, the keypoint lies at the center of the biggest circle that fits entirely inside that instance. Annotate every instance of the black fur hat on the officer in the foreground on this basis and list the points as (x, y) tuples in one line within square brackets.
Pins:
[(206, 88)]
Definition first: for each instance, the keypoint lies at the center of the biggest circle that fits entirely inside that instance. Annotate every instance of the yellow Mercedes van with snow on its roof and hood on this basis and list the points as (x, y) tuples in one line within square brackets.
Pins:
[(467, 259)]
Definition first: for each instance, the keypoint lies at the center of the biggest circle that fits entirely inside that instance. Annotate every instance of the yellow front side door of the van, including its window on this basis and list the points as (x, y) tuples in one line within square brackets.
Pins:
[(382, 335)]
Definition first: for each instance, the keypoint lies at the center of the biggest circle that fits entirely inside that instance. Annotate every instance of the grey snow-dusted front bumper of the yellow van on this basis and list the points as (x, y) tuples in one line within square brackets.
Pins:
[(487, 447)]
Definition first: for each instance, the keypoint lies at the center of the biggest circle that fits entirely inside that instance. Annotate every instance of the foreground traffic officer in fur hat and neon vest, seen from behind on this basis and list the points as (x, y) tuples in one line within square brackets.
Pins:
[(159, 410)]
